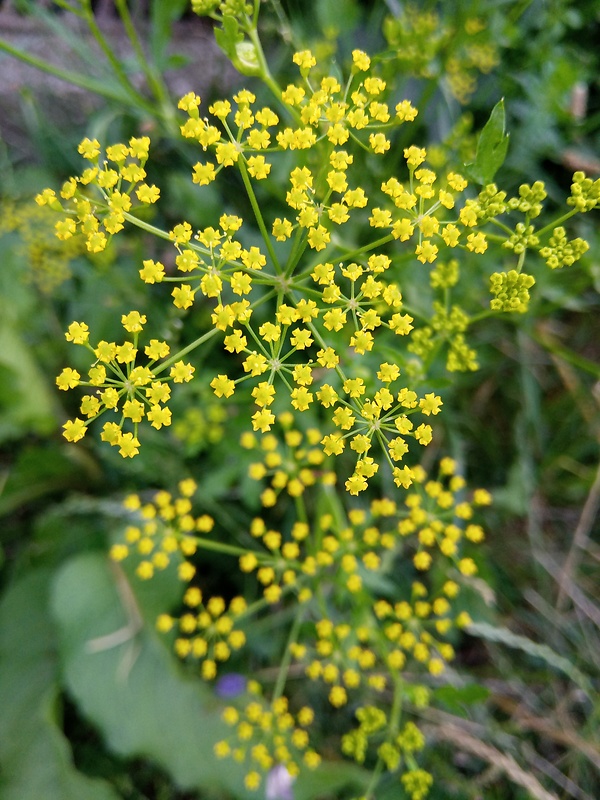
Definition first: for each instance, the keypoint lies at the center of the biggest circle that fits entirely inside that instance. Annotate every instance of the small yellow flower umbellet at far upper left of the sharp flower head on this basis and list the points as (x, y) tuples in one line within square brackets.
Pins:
[(97, 201)]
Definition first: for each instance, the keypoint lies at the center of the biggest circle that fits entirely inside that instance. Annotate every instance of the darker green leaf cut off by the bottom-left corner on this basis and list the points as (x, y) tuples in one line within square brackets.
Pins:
[(35, 755)]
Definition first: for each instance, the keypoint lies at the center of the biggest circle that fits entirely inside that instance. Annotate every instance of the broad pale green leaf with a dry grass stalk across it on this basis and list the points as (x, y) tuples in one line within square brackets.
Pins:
[(128, 685)]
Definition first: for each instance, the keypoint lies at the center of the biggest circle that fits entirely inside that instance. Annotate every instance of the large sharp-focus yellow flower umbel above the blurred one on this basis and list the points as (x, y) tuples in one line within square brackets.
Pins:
[(303, 327)]
